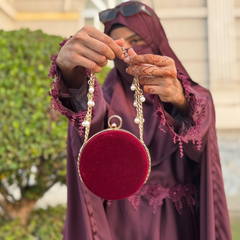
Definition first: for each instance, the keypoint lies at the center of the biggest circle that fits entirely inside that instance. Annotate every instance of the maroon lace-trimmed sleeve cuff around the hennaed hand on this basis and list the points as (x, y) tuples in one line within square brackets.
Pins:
[(190, 129)]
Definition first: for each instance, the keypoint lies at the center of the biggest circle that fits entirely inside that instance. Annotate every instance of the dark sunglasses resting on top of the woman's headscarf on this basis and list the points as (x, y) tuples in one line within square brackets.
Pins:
[(126, 10)]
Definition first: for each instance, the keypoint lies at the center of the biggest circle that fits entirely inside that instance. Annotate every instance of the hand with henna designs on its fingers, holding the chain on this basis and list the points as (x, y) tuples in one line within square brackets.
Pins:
[(158, 75)]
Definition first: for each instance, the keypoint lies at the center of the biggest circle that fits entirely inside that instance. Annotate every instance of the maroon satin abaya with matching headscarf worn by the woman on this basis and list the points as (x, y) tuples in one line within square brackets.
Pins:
[(184, 197)]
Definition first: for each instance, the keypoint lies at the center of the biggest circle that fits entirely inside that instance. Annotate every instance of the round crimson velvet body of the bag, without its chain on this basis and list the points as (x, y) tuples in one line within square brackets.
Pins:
[(114, 164)]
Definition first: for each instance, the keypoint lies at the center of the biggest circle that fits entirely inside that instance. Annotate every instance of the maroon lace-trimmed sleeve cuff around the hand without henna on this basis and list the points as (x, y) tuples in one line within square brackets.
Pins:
[(61, 99)]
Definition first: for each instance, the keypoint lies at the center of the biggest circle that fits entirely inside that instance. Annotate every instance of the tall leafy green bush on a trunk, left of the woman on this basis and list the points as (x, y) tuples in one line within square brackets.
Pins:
[(32, 135)]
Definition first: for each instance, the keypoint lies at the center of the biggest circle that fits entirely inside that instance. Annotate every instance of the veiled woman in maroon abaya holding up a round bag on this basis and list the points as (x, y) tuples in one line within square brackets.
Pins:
[(184, 196)]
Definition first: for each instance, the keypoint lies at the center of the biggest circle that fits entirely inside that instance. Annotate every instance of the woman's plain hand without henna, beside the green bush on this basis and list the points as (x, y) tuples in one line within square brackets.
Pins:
[(88, 48)]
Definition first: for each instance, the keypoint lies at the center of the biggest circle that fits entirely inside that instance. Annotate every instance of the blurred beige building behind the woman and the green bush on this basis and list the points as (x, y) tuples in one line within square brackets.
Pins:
[(205, 35)]
